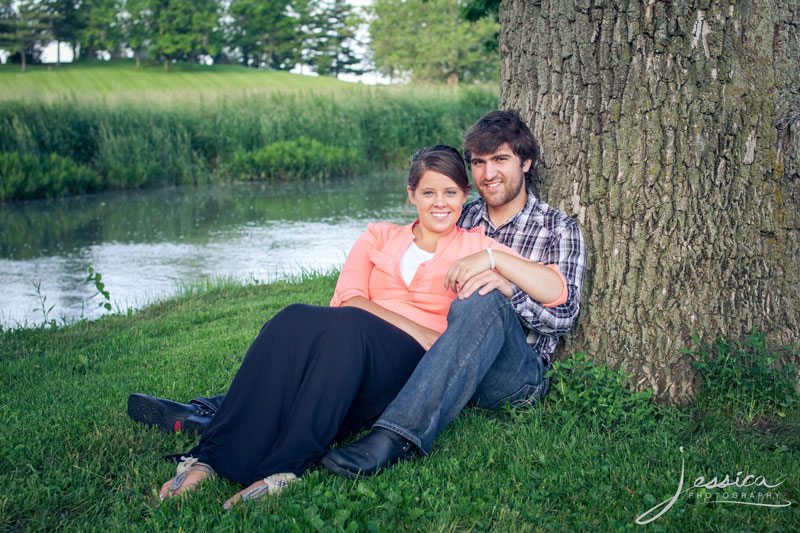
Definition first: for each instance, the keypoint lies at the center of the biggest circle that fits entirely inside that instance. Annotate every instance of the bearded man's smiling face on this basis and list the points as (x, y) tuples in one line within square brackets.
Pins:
[(500, 176)]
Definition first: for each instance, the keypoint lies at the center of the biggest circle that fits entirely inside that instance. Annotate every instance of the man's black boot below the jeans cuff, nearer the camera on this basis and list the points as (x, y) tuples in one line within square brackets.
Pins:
[(378, 449)]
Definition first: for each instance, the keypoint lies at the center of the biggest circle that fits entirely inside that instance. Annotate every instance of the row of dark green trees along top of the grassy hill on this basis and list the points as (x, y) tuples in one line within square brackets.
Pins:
[(276, 34)]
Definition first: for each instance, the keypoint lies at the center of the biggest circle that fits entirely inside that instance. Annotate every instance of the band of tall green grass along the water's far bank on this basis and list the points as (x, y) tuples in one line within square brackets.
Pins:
[(74, 147)]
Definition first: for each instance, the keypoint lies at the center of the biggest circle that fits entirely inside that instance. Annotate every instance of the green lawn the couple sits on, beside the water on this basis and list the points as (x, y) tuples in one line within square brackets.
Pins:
[(71, 459)]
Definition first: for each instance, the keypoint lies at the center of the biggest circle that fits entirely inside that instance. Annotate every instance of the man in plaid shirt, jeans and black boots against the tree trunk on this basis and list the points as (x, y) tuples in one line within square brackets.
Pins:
[(502, 330)]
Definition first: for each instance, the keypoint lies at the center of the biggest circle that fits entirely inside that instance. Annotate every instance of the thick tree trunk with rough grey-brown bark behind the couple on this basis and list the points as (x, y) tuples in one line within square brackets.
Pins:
[(670, 132)]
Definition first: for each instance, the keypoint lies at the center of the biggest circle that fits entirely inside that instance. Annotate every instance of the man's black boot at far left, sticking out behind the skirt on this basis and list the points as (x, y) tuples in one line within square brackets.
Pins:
[(169, 416)]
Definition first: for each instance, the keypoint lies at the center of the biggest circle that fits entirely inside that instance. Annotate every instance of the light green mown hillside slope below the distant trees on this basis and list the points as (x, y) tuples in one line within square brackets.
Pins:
[(122, 78)]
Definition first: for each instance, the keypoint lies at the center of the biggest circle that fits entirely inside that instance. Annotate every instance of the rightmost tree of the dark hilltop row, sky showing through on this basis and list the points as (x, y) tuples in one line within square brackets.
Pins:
[(332, 37)]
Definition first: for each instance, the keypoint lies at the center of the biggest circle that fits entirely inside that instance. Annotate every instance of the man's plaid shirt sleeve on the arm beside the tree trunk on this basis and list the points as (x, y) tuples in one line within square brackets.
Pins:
[(567, 251)]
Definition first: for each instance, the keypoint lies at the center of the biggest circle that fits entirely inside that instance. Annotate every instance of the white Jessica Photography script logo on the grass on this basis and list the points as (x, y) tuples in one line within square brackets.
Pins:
[(744, 489)]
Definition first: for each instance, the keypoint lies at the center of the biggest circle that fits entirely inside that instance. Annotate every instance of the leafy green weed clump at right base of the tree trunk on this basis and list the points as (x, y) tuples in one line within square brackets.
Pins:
[(746, 379)]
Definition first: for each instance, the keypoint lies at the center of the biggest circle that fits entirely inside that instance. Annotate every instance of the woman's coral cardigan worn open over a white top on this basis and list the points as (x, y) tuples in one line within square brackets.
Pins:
[(372, 270)]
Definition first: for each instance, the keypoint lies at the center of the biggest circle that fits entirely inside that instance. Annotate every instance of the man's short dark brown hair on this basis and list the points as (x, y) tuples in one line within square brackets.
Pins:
[(498, 127)]
